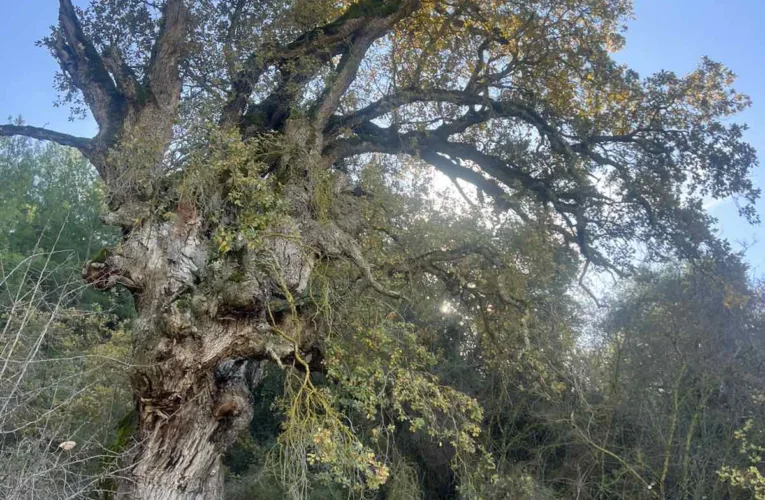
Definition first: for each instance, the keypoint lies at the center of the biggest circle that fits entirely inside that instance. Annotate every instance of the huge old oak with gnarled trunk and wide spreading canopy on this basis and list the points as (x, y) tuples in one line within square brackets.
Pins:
[(230, 132)]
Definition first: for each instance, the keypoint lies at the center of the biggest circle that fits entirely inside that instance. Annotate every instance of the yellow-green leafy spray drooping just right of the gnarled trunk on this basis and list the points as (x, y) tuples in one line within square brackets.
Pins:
[(391, 356)]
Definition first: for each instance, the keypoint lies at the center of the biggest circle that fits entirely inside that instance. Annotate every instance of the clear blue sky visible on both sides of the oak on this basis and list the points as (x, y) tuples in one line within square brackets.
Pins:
[(666, 34)]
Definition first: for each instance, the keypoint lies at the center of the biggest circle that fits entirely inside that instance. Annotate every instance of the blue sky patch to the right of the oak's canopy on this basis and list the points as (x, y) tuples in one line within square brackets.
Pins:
[(674, 35)]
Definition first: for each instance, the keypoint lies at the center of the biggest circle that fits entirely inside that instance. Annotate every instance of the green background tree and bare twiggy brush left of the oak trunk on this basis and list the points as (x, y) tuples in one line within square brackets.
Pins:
[(62, 345)]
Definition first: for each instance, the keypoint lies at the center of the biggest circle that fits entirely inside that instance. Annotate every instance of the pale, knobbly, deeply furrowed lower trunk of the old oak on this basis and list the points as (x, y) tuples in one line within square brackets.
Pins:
[(203, 319)]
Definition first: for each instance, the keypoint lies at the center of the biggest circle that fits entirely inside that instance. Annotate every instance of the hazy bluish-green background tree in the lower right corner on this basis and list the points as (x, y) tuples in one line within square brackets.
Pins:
[(677, 376)]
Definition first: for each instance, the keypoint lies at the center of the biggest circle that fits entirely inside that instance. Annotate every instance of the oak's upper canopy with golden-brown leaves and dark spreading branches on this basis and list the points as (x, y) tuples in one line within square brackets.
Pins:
[(521, 99)]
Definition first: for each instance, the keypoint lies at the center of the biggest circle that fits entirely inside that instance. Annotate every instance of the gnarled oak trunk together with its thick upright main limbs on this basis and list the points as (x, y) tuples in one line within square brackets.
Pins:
[(206, 320)]
